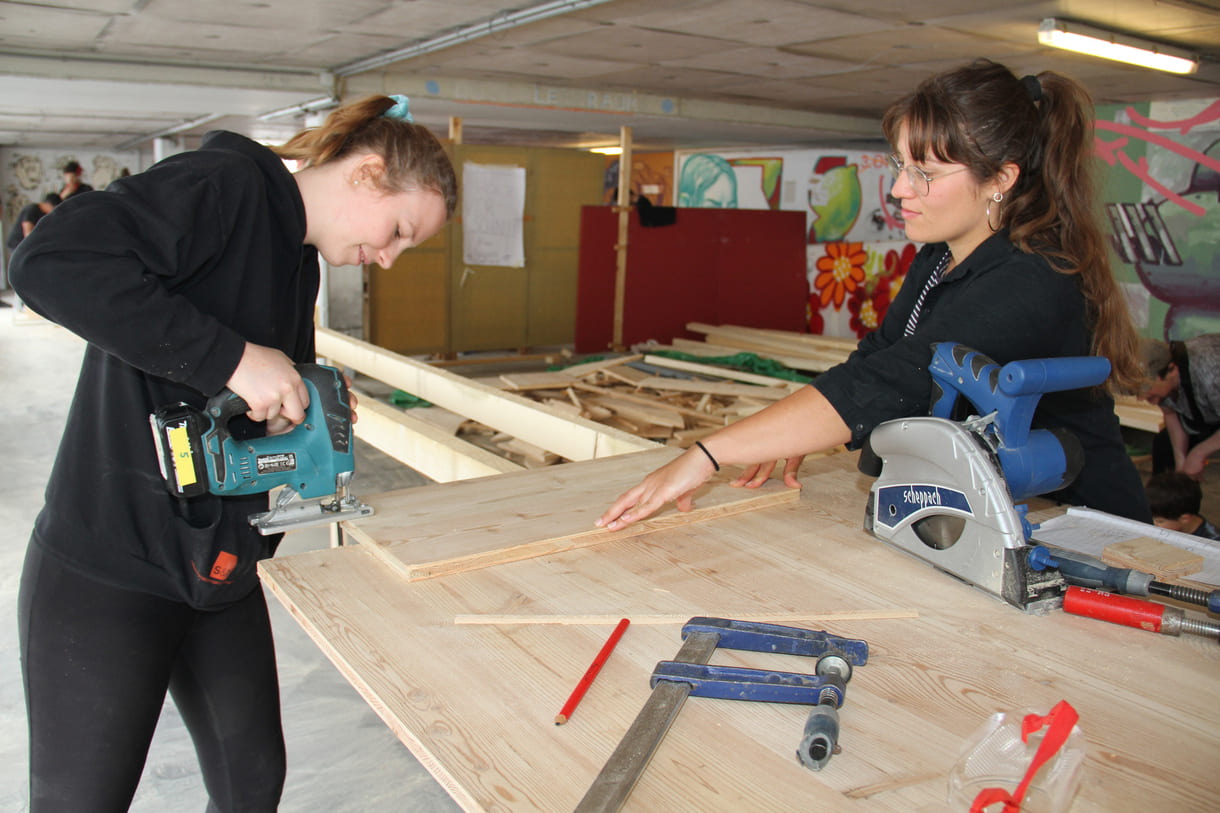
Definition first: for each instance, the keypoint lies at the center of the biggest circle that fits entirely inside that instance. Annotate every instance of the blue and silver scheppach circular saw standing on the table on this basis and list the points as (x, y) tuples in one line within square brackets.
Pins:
[(949, 491)]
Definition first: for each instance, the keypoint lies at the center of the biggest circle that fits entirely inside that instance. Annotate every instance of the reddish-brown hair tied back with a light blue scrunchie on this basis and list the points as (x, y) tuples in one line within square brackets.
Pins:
[(414, 158)]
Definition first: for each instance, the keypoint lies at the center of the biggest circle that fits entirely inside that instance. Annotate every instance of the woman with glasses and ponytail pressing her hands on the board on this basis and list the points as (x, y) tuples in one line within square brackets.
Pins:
[(994, 178)]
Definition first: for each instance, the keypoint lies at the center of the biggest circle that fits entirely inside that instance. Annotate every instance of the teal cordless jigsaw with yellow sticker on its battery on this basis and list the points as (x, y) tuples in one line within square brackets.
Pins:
[(314, 462)]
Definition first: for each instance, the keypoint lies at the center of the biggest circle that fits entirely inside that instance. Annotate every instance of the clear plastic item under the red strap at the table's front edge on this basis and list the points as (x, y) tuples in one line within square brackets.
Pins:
[(996, 757)]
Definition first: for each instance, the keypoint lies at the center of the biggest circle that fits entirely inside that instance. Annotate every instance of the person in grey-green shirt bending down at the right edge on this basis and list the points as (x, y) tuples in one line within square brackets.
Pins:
[(1184, 380)]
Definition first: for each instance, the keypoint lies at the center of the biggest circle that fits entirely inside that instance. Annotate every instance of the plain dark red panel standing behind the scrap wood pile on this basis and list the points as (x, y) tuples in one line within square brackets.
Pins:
[(720, 267)]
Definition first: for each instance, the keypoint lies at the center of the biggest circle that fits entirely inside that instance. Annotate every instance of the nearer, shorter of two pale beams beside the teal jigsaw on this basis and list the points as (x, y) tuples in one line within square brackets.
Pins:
[(426, 447)]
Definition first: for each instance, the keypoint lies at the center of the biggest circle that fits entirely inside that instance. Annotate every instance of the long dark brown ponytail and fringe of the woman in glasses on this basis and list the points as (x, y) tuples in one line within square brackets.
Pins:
[(984, 118)]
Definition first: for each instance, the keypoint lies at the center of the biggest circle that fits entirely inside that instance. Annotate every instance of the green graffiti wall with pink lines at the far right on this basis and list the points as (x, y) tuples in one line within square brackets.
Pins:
[(1163, 203)]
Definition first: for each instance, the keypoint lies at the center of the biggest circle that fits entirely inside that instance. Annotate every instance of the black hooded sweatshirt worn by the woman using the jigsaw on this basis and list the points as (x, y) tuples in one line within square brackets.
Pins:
[(168, 275)]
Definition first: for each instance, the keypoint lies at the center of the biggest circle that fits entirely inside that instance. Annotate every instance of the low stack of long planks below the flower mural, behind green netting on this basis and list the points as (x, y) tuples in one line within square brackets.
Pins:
[(802, 352)]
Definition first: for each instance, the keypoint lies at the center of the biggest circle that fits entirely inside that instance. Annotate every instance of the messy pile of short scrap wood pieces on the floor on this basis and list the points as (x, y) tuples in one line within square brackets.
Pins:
[(648, 396)]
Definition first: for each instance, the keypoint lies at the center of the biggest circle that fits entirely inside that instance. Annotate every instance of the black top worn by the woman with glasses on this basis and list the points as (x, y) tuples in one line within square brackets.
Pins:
[(1010, 306)]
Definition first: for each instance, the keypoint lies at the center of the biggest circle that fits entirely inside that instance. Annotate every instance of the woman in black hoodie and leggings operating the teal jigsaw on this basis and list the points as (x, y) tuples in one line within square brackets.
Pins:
[(193, 276)]
